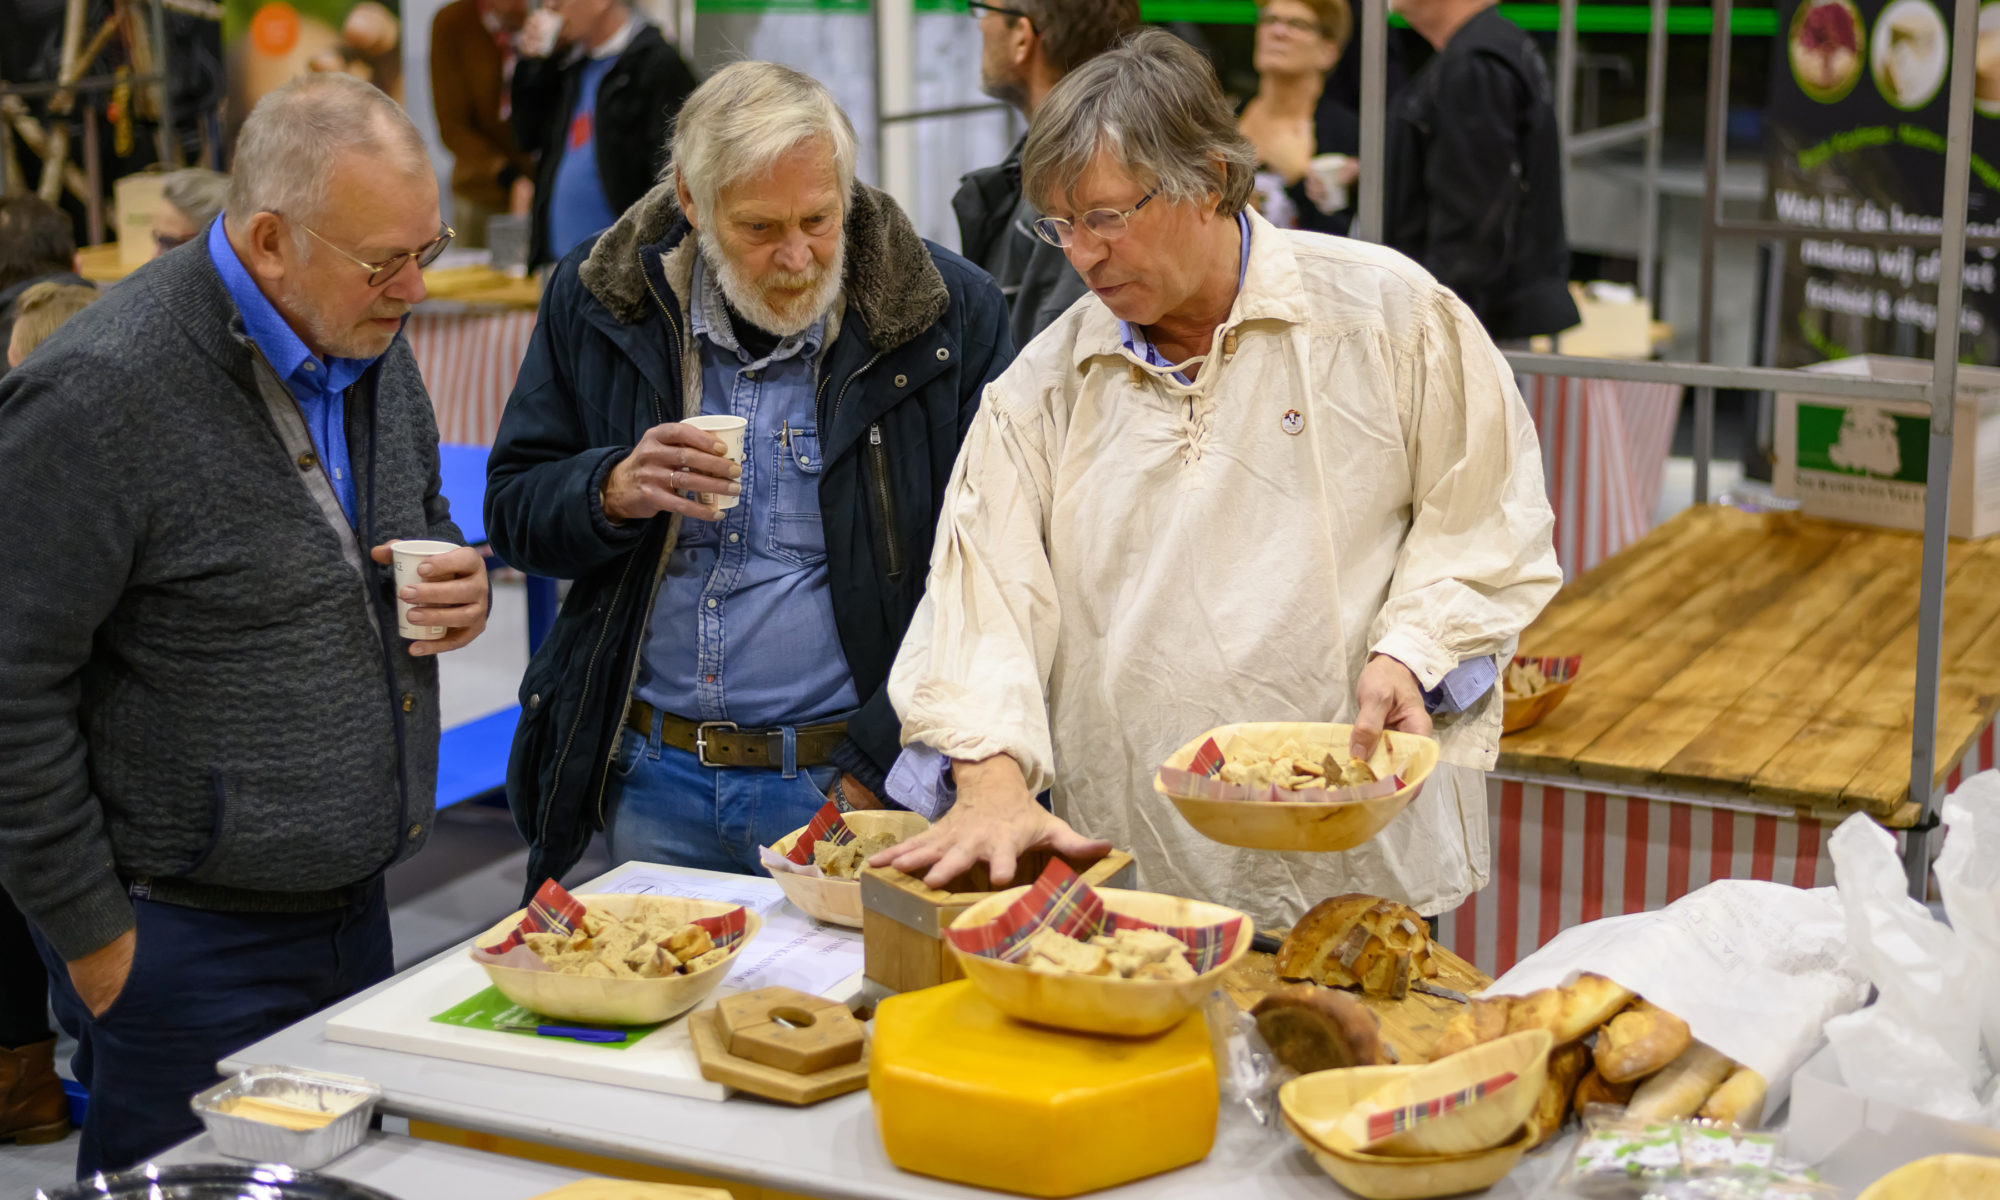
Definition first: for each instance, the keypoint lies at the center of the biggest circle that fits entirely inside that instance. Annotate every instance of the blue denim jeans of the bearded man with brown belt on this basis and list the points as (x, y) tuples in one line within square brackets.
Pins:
[(665, 807)]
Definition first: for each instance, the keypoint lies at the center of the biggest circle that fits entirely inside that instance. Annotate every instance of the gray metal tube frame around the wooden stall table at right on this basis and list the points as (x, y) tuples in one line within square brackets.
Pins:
[(1707, 377)]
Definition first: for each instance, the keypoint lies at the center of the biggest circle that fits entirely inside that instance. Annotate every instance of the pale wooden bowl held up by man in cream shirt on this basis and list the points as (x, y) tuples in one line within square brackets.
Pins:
[(1281, 825)]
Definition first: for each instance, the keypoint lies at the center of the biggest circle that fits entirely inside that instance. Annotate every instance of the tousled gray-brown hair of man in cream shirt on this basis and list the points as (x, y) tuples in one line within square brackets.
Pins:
[(1155, 105)]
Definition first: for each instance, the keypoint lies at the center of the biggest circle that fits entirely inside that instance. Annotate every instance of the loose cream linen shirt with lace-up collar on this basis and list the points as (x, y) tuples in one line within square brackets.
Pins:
[(1127, 561)]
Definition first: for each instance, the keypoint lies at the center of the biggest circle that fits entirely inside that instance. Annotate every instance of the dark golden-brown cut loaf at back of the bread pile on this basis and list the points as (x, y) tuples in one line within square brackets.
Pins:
[(1359, 941)]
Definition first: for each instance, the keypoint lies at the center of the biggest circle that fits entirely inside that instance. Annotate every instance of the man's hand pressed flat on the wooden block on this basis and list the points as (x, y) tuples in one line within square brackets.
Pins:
[(995, 823)]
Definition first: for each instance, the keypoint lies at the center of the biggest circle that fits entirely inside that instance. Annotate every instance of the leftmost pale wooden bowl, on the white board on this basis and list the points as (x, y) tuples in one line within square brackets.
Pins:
[(621, 1003)]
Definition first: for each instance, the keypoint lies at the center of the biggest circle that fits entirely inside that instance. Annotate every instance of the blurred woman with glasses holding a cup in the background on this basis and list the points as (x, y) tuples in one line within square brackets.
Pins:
[(1295, 117)]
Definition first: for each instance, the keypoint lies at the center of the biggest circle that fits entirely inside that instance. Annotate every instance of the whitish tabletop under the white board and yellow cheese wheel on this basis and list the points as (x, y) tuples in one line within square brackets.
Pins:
[(825, 1151)]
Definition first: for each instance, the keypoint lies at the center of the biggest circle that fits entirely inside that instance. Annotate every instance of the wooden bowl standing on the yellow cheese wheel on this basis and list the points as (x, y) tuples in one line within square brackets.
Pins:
[(1099, 1005)]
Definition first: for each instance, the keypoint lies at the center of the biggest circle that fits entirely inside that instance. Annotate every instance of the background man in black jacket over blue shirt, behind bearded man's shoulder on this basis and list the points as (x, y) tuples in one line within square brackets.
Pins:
[(595, 93)]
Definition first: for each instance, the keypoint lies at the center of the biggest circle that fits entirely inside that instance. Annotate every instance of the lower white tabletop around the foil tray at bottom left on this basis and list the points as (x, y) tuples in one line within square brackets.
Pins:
[(415, 1171)]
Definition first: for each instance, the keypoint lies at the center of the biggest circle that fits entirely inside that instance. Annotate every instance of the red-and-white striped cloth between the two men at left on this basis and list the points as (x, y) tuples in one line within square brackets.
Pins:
[(469, 365)]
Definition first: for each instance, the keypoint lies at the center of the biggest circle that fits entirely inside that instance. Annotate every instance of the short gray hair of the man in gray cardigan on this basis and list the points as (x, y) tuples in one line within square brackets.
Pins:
[(293, 139)]
